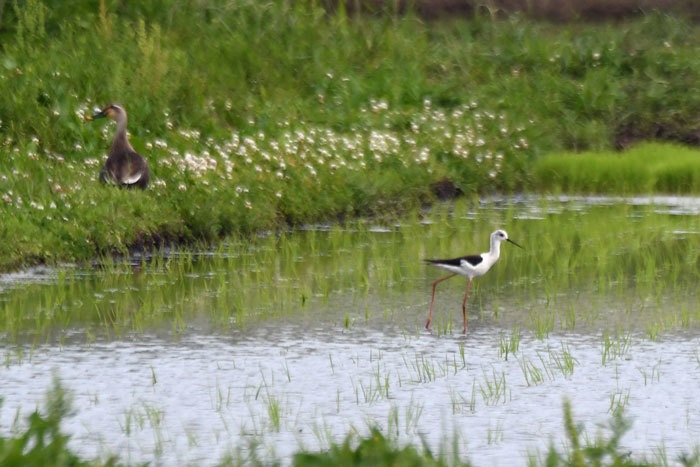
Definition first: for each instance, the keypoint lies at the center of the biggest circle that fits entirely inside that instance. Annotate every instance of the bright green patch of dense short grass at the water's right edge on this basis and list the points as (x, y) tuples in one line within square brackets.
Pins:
[(647, 168)]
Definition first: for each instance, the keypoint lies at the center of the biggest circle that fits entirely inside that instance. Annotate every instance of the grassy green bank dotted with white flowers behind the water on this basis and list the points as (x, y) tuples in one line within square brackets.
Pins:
[(247, 124)]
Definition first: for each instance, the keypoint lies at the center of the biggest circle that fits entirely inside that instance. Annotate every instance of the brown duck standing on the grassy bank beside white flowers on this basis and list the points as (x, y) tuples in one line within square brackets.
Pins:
[(124, 166)]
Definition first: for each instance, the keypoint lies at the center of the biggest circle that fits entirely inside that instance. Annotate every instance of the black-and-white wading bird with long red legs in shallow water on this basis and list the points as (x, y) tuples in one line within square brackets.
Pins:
[(470, 266)]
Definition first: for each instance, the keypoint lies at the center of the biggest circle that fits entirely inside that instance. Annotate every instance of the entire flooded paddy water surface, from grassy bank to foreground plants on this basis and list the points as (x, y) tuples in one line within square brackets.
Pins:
[(165, 367)]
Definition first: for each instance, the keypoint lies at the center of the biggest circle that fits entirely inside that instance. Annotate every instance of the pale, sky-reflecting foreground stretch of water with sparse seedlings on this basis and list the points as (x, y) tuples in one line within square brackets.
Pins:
[(213, 392)]
